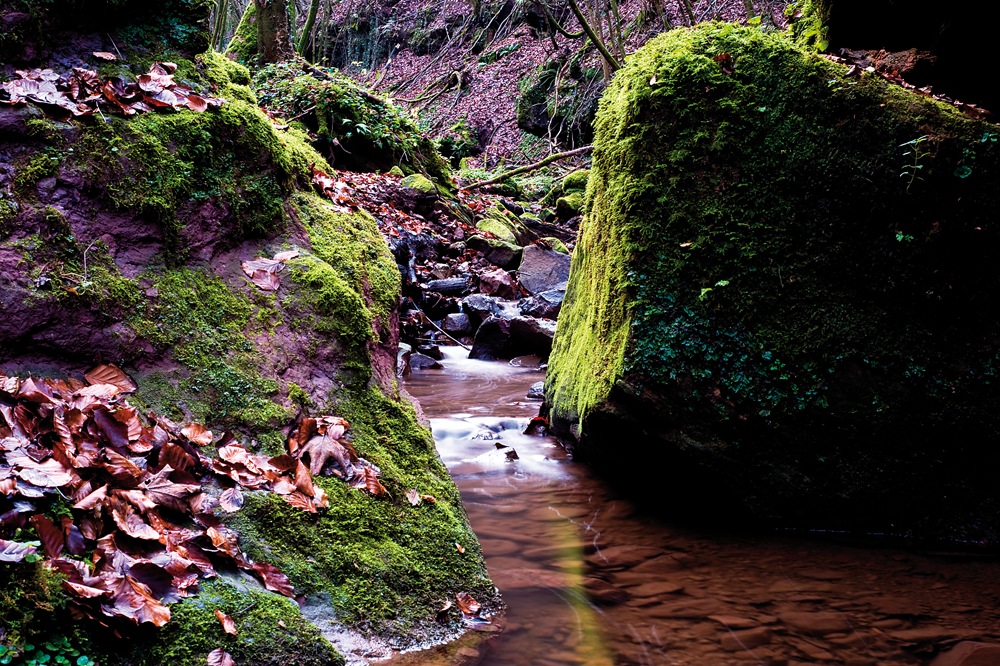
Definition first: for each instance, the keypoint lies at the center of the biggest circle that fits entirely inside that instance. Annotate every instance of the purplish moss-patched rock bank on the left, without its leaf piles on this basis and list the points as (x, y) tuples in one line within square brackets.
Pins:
[(122, 241)]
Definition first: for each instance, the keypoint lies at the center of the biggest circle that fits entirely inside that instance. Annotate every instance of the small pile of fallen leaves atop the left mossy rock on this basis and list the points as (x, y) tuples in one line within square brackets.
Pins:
[(85, 93)]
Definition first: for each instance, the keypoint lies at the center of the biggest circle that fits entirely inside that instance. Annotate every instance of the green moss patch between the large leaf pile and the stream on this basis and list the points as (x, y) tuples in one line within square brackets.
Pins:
[(378, 562)]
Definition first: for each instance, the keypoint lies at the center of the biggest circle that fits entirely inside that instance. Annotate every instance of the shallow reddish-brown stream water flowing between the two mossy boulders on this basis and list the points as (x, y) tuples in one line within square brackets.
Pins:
[(590, 579)]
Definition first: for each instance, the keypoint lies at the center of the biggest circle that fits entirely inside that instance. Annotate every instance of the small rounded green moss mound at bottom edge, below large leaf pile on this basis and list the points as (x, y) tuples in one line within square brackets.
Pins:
[(270, 631)]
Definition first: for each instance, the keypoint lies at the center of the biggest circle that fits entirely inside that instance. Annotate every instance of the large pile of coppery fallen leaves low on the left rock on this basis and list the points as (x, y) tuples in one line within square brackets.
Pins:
[(137, 500)]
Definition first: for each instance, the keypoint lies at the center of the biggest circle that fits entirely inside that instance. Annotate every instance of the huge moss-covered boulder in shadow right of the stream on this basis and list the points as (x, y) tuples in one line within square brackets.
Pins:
[(759, 298)]
